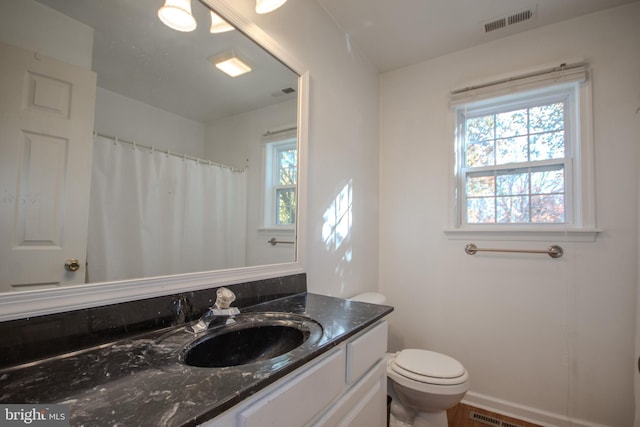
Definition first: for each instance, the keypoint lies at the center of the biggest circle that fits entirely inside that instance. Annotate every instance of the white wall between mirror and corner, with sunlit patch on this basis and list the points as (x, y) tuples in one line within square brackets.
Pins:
[(343, 143)]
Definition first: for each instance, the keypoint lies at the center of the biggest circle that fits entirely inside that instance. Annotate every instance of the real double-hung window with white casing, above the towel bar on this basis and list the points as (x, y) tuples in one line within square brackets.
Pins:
[(519, 157)]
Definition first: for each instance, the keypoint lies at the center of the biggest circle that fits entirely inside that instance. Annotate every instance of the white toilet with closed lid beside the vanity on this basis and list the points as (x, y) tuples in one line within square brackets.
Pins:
[(424, 382)]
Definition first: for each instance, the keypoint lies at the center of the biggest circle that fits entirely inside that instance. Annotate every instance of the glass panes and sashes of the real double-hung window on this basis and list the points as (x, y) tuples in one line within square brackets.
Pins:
[(514, 160)]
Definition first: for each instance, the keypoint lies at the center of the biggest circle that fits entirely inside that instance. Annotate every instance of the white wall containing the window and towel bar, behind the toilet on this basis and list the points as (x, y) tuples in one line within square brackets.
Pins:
[(552, 335)]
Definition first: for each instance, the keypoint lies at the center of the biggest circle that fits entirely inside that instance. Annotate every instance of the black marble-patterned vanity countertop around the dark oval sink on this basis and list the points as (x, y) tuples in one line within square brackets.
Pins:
[(140, 381)]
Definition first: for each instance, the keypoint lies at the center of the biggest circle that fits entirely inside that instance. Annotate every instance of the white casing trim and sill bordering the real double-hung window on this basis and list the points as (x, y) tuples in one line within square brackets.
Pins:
[(582, 226)]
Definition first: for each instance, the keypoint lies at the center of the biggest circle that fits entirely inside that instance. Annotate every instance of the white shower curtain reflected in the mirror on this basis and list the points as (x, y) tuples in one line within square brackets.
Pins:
[(154, 214)]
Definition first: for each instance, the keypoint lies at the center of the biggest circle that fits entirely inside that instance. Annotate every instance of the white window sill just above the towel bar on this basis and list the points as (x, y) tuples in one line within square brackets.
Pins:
[(526, 233)]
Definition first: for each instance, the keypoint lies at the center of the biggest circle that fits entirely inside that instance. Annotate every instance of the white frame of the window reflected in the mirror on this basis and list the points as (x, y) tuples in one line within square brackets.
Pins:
[(271, 181)]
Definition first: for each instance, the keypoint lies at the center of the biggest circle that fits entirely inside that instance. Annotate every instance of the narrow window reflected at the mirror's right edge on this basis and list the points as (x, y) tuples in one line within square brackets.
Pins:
[(281, 171)]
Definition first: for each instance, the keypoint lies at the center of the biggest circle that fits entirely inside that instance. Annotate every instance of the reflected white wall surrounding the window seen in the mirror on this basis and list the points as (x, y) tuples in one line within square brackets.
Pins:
[(237, 141)]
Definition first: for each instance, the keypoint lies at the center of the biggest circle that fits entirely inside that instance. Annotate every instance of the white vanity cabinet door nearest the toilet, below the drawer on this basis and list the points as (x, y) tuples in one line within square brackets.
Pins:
[(364, 405)]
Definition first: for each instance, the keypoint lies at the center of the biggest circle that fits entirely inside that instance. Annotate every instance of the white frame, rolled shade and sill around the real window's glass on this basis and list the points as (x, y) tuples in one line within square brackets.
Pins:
[(521, 91)]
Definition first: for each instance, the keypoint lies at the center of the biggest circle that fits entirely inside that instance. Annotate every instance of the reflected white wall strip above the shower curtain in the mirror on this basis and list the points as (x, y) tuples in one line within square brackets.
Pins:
[(151, 127)]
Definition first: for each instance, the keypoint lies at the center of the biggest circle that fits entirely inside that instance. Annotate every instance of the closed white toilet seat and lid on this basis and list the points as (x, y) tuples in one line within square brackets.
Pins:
[(429, 367)]
